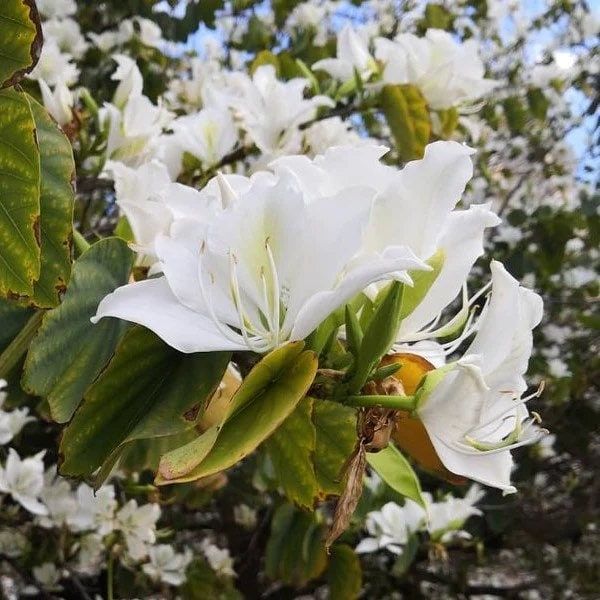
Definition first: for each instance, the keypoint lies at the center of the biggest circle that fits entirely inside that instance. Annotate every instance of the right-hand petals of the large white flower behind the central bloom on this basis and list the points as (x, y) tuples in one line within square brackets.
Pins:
[(417, 207)]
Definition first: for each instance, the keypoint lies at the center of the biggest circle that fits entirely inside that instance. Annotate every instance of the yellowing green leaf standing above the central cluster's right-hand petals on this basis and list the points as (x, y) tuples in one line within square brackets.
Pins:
[(406, 112)]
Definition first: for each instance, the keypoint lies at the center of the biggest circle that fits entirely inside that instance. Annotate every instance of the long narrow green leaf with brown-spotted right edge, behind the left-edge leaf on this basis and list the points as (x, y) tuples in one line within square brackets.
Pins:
[(56, 208)]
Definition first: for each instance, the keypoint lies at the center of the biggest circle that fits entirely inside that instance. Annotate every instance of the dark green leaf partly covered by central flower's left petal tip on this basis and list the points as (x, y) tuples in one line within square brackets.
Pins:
[(69, 352)]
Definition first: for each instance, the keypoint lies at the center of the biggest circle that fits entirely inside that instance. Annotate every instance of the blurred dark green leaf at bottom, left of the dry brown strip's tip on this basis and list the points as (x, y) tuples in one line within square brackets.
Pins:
[(295, 551)]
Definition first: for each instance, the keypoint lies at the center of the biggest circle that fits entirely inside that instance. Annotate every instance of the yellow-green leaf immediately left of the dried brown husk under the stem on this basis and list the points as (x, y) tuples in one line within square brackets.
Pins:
[(335, 426)]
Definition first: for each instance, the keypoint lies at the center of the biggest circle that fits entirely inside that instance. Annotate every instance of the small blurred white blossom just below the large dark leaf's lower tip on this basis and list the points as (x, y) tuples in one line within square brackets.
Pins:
[(95, 510)]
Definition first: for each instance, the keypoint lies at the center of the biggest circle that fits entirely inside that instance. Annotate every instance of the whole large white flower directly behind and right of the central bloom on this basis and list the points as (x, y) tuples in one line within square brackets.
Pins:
[(414, 207)]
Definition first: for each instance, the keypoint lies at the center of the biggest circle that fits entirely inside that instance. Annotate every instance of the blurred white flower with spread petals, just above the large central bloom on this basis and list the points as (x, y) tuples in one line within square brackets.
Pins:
[(271, 110)]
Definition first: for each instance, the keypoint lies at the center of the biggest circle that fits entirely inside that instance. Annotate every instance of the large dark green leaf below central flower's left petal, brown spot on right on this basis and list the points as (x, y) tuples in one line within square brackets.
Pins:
[(148, 390)]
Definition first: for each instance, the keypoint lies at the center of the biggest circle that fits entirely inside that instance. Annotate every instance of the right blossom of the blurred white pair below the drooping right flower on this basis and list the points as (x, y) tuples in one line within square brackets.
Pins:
[(446, 518)]
